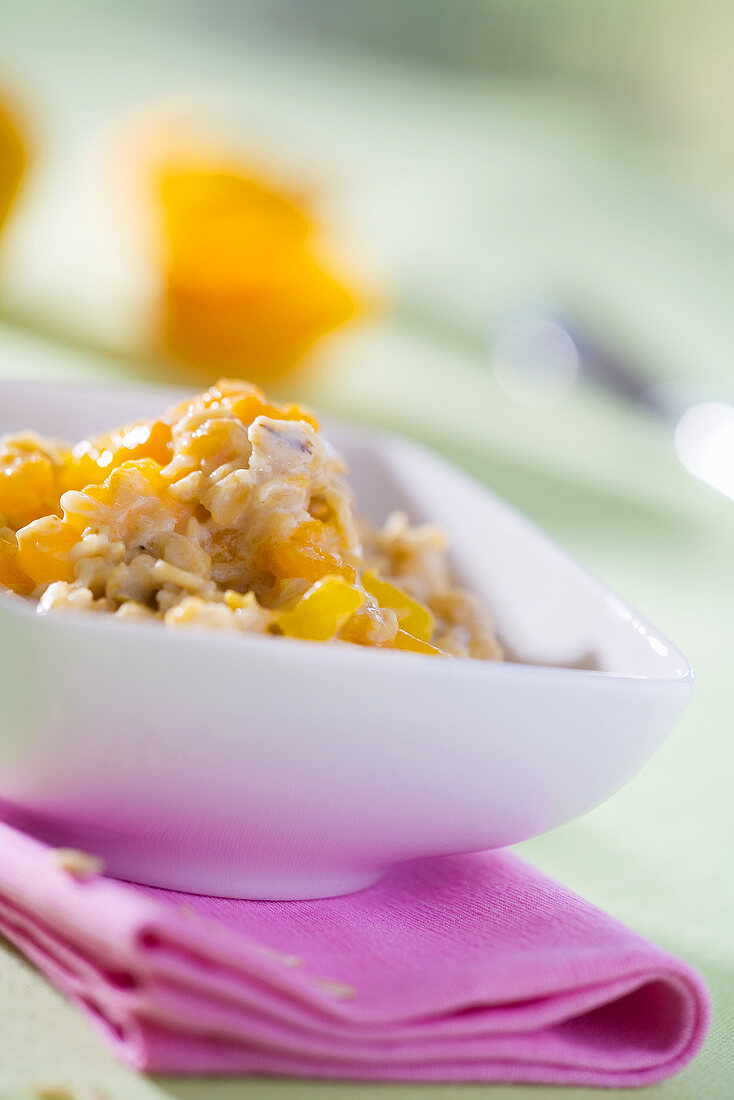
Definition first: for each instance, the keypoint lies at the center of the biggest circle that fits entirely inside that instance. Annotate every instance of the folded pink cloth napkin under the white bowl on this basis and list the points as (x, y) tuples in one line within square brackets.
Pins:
[(470, 969)]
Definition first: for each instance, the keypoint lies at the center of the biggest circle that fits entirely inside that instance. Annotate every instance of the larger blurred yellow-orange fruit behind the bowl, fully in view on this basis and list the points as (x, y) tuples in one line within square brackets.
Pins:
[(245, 289)]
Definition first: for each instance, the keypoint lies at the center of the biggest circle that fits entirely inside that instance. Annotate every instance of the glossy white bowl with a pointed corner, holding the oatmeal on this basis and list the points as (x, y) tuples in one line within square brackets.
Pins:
[(262, 767)]
